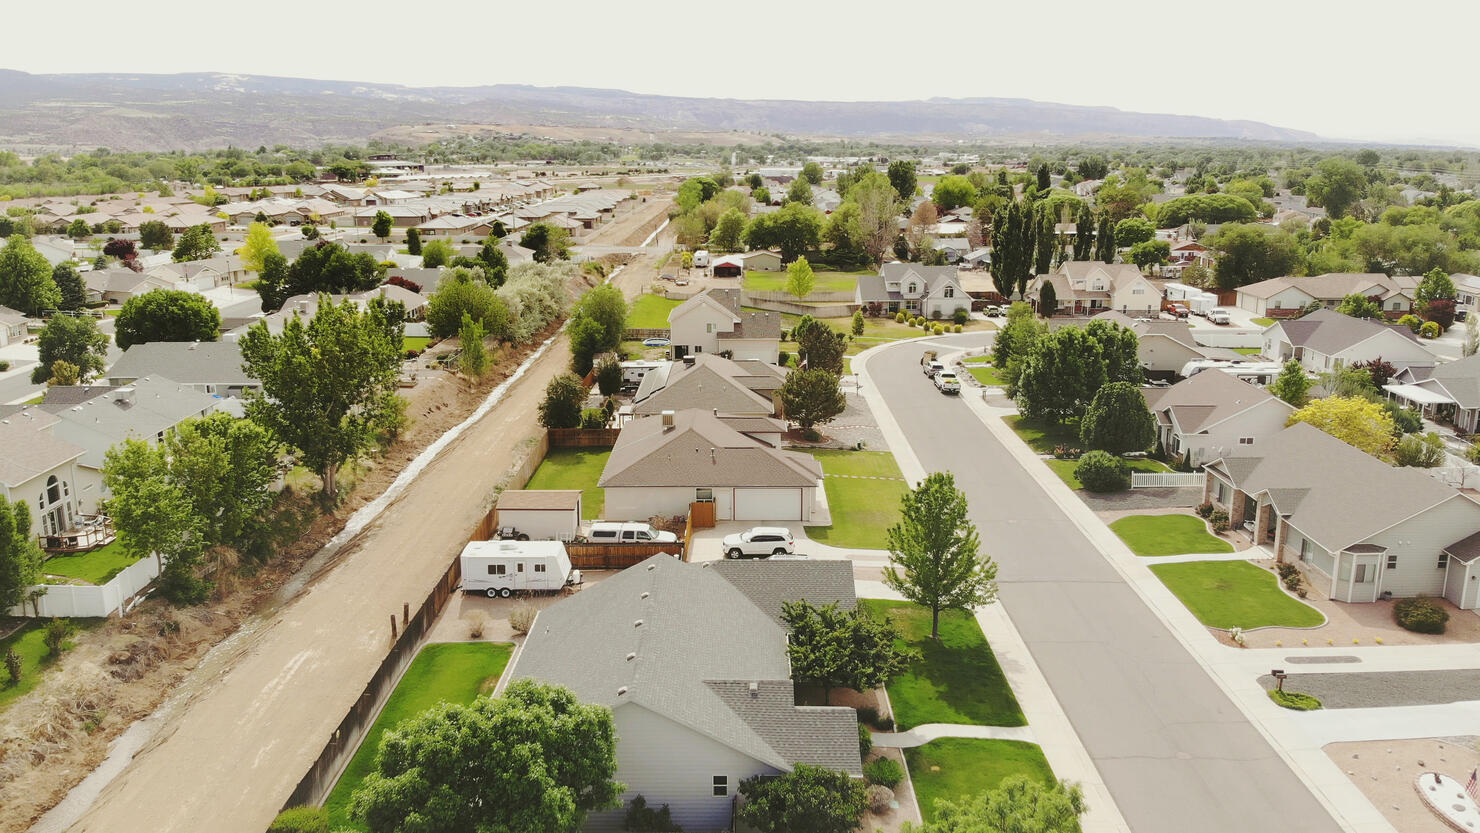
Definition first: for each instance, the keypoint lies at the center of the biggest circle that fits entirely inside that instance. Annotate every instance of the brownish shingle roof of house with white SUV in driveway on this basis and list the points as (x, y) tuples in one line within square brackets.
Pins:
[(702, 451)]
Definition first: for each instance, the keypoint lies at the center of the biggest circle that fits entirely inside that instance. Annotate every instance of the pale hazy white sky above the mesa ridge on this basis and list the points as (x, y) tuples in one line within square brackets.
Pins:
[(1346, 70)]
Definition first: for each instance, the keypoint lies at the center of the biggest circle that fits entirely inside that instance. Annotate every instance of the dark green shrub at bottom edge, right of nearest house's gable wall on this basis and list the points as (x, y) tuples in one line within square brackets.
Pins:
[(809, 800)]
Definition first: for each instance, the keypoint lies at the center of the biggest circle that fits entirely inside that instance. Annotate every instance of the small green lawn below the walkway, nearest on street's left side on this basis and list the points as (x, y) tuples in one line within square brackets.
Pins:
[(960, 769)]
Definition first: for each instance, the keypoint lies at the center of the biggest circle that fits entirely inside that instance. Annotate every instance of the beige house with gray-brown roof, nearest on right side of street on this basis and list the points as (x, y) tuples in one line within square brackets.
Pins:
[(1359, 529)]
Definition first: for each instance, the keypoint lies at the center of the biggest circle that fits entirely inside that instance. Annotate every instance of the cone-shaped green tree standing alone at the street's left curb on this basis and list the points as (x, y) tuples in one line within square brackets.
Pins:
[(935, 557)]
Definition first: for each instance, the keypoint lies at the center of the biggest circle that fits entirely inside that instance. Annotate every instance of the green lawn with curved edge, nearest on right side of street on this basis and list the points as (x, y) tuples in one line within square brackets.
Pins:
[(1235, 594)]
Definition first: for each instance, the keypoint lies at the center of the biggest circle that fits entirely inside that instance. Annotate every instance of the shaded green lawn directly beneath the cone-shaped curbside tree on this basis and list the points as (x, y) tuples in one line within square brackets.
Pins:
[(957, 681)]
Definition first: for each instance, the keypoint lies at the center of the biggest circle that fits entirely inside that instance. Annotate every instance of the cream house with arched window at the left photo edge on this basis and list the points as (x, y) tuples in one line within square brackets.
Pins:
[(41, 471)]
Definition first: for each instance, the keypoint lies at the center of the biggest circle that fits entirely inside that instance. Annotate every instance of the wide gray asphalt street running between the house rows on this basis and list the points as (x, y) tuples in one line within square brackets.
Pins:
[(1173, 749)]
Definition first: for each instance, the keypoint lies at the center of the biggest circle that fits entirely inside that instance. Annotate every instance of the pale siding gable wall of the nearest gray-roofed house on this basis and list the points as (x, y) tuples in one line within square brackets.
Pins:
[(667, 763)]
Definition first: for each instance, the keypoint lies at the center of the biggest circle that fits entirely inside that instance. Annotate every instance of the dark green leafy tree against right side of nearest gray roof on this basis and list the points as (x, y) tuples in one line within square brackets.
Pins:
[(837, 649)]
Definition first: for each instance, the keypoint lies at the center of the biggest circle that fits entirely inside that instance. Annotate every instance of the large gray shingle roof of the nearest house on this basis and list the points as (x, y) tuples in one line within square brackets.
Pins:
[(683, 643)]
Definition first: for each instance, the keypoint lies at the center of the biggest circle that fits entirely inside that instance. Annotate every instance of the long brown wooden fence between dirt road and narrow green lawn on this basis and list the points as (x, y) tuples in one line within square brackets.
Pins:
[(314, 788)]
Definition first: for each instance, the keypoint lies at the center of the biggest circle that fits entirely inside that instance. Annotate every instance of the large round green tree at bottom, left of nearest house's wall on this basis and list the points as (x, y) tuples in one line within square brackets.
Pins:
[(532, 761)]
